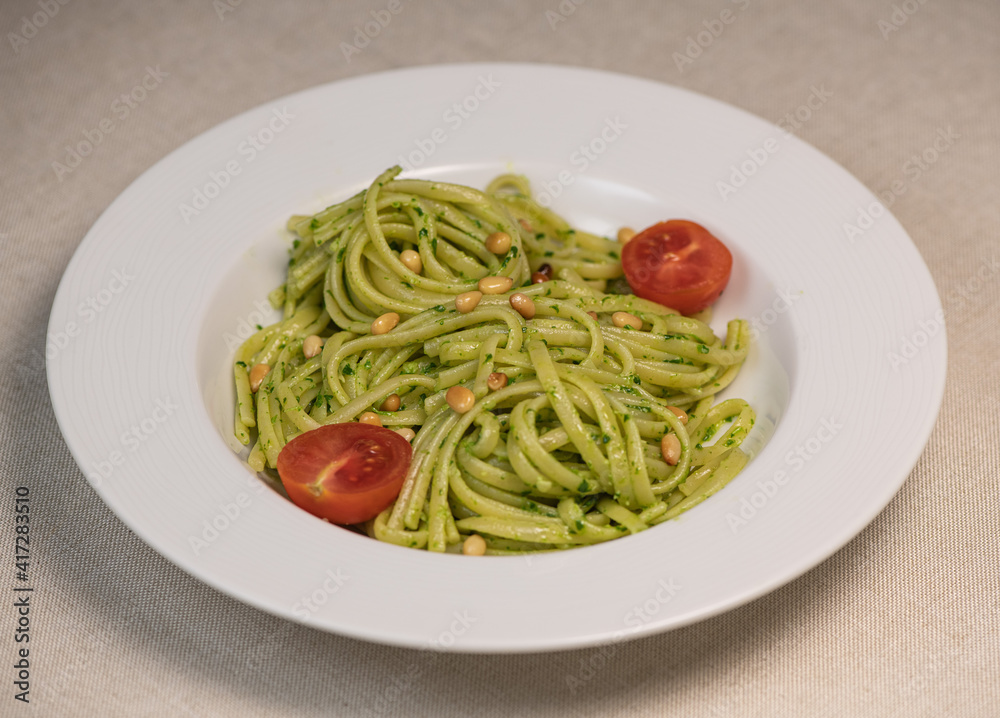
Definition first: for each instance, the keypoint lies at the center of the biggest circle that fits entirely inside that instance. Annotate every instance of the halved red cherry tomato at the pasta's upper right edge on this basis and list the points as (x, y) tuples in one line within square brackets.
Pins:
[(679, 264)]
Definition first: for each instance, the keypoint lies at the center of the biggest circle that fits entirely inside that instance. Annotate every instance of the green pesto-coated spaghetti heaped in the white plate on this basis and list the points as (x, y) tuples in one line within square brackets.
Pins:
[(568, 451)]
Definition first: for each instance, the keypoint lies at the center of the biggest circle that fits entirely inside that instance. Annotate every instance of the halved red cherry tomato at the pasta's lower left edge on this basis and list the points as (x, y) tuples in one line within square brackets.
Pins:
[(345, 473)]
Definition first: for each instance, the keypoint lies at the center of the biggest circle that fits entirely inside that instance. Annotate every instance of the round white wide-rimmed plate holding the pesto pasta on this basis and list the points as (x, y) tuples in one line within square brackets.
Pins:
[(846, 376)]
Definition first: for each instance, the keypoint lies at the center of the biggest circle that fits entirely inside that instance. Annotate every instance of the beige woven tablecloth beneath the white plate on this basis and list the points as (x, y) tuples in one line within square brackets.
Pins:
[(901, 622)]
